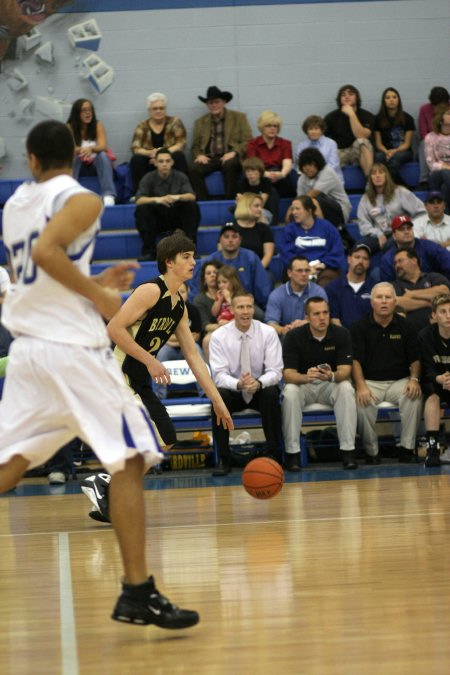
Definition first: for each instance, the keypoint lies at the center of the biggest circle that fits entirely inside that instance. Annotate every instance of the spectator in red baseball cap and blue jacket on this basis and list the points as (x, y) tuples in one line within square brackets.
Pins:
[(432, 256)]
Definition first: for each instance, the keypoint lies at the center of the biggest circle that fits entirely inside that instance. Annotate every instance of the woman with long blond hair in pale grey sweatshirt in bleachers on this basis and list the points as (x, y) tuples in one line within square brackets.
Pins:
[(383, 200)]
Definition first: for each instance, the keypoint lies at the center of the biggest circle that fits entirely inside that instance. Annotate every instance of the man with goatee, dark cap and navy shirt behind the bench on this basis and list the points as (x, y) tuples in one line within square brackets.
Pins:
[(349, 295)]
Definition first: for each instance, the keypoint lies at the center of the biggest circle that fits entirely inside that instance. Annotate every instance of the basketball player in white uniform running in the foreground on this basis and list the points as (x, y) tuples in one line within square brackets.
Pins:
[(62, 378)]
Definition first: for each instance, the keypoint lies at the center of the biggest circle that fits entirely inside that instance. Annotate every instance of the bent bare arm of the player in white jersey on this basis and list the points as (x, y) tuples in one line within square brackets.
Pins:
[(49, 252)]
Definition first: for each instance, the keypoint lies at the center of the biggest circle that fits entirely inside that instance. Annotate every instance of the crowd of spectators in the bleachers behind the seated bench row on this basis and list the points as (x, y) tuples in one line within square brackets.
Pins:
[(399, 236)]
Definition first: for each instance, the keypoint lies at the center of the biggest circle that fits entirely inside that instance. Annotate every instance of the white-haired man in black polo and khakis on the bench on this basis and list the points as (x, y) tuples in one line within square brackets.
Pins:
[(386, 367)]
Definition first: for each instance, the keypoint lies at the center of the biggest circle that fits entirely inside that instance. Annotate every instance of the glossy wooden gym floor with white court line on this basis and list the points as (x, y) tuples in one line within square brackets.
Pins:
[(334, 576)]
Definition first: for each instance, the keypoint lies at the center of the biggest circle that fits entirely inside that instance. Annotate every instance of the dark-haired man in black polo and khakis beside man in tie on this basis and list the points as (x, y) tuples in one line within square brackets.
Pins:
[(317, 367)]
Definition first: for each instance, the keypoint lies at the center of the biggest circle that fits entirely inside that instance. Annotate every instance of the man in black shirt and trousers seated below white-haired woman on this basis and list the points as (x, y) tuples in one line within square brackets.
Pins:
[(165, 201)]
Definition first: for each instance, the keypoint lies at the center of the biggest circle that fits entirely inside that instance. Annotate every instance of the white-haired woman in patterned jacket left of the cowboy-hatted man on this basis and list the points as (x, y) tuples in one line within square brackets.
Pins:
[(159, 130)]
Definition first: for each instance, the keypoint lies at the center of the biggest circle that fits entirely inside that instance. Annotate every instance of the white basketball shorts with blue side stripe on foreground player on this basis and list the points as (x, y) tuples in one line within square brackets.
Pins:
[(54, 392)]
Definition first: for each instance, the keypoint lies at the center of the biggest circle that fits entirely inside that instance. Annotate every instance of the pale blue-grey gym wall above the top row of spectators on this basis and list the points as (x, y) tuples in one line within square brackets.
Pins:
[(290, 57)]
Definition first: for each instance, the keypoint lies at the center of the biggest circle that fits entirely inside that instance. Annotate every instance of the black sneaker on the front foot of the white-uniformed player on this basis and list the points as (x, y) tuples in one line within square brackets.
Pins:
[(144, 604)]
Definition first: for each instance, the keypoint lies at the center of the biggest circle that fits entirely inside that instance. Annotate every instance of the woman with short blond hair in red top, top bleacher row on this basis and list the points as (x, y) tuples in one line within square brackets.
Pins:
[(274, 151)]
